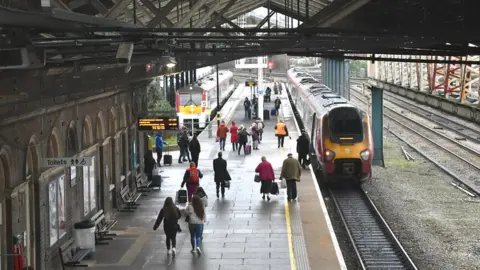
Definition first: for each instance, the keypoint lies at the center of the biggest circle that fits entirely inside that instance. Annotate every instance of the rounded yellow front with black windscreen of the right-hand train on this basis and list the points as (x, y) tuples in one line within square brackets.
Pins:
[(347, 145)]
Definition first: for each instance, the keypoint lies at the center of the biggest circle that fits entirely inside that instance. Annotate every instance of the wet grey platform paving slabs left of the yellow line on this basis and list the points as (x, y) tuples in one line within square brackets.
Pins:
[(242, 232)]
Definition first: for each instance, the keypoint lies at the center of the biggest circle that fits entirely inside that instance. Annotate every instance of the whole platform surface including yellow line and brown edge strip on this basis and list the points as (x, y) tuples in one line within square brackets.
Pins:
[(242, 230)]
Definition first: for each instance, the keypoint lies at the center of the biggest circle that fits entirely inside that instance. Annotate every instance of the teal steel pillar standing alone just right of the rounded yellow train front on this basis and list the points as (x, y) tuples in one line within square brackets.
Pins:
[(377, 125)]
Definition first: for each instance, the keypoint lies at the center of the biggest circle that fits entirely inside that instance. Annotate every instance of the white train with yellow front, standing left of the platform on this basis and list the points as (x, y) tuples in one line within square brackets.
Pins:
[(195, 102)]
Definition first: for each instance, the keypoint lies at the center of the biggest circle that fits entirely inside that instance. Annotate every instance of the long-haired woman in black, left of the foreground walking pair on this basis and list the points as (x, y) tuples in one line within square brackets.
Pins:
[(170, 215)]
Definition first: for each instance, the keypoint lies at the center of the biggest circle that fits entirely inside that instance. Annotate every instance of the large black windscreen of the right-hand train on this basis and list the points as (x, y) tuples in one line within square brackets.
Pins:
[(346, 125)]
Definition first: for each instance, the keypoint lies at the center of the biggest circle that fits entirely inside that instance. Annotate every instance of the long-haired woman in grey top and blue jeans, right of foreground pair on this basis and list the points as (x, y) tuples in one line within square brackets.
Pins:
[(196, 219)]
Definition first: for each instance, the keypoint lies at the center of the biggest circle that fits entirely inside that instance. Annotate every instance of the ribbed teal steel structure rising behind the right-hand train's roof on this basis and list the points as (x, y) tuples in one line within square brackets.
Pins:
[(336, 75)]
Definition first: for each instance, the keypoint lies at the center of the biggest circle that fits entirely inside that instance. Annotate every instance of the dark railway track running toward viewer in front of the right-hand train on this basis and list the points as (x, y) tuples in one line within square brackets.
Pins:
[(374, 242)]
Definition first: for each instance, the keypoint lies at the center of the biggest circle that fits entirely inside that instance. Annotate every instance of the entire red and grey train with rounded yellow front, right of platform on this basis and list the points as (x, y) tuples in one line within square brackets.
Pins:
[(341, 143)]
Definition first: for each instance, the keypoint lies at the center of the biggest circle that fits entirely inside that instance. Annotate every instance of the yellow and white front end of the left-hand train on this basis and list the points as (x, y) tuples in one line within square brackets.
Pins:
[(191, 106)]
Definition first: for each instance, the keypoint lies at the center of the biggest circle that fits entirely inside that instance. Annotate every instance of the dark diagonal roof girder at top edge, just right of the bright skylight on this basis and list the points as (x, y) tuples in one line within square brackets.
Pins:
[(335, 12)]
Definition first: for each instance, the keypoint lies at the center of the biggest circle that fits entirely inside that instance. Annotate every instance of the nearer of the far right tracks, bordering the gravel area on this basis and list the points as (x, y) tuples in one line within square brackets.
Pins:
[(450, 155)]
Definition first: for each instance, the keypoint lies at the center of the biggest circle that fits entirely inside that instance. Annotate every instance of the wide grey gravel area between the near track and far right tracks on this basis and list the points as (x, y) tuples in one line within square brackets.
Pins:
[(436, 223)]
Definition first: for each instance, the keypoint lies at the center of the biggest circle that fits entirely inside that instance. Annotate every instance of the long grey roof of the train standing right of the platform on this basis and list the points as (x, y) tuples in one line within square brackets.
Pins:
[(321, 97)]
